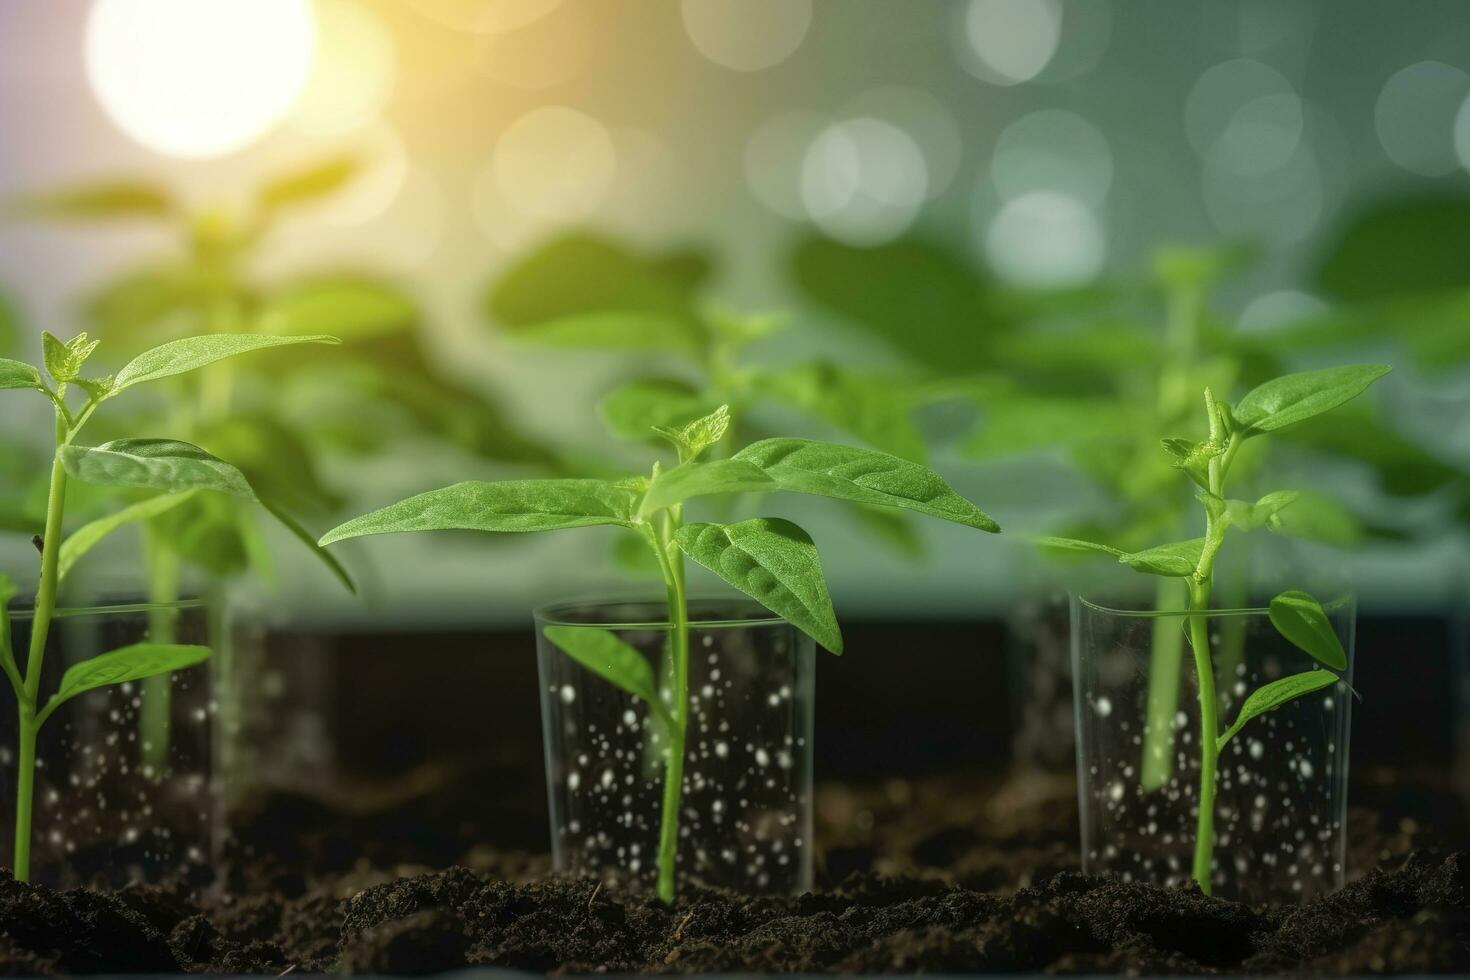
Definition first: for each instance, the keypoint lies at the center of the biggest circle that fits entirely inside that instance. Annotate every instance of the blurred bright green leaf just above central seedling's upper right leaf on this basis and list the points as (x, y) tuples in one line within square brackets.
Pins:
[(874, 409)]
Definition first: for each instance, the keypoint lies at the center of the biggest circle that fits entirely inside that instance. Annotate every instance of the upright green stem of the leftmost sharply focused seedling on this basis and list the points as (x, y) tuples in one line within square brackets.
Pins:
[(40, 628)]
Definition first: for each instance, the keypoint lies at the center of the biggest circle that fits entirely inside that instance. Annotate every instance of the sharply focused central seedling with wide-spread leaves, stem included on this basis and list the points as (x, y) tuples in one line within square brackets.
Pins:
[(770, 559)]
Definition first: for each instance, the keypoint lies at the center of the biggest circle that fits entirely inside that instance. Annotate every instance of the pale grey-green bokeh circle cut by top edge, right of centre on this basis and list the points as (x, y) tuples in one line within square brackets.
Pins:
[(1011, 42)]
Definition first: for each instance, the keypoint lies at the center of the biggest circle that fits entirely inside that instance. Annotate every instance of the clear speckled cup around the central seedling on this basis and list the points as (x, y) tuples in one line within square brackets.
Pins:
[(746, 809)]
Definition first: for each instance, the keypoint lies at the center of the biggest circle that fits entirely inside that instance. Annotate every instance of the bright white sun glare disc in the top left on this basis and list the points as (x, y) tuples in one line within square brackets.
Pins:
[(199, 79)]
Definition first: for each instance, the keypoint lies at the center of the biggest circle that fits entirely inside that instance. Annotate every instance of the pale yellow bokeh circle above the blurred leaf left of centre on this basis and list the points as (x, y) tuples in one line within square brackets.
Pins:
[(555, 164)]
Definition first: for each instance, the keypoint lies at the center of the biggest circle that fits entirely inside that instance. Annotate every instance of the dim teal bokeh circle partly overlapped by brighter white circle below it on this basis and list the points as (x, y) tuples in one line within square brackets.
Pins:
[(1053, 149)]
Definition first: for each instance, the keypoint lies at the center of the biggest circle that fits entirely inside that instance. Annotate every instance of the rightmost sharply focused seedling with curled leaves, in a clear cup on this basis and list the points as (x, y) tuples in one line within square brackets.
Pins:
[(1296, 615)]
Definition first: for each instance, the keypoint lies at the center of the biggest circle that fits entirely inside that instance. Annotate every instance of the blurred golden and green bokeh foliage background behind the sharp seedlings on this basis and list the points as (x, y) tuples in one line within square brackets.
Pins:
[(1009, 237)]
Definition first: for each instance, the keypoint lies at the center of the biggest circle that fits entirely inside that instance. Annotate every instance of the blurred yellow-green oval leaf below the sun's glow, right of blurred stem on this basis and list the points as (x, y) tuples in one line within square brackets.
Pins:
[(351, 309)]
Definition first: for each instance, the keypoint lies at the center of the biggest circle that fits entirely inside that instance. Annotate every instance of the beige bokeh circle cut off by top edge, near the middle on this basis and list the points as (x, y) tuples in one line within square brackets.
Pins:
[(747, 36)]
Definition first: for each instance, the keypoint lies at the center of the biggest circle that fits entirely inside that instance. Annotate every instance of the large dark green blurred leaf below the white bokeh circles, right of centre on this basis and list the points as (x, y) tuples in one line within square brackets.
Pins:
[(925, 300)]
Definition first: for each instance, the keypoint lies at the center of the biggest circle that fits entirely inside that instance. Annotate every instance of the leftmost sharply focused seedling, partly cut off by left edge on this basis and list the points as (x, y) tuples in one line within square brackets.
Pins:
[(179, 471)]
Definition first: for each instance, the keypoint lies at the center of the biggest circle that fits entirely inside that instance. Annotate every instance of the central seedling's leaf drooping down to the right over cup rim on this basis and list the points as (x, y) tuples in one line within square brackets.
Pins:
[(775, 563)]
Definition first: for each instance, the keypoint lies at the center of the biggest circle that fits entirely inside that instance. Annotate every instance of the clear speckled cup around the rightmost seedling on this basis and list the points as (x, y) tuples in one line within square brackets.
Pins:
[(1281, 790)]
